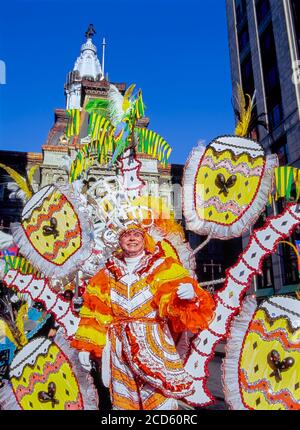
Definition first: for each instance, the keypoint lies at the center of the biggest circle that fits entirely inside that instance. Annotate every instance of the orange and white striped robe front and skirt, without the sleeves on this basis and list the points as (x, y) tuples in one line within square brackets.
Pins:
[(133, 305)]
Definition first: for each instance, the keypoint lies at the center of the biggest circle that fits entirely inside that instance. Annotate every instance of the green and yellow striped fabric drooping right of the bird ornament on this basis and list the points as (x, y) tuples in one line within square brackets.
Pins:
[(152, 144)]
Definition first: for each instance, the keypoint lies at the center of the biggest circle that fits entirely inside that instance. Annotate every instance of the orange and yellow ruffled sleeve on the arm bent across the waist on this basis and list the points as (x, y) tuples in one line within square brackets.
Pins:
[(193, 315)]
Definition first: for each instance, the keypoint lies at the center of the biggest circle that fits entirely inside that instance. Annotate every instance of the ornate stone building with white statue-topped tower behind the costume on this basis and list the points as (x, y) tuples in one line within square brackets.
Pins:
[(85, 82)]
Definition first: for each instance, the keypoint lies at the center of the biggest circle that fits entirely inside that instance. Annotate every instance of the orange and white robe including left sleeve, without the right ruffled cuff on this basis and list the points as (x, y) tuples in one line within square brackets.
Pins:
[(146, 370)]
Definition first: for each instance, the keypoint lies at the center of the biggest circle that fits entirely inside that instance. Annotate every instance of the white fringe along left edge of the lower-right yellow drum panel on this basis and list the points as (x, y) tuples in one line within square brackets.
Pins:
[(230, 365)]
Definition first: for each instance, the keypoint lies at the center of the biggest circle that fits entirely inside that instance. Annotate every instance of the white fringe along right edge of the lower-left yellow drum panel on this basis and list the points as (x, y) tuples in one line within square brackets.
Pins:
[(84, 379)]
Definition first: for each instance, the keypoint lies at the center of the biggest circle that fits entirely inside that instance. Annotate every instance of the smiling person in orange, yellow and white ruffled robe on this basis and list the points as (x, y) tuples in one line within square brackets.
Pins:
[(130, 309)]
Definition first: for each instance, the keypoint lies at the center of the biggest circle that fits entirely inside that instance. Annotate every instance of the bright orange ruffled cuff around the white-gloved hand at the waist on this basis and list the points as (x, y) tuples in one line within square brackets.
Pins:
[(193, 315)]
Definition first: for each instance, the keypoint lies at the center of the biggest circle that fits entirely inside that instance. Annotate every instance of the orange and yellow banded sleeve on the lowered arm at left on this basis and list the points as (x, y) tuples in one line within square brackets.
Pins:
[(95, 315)]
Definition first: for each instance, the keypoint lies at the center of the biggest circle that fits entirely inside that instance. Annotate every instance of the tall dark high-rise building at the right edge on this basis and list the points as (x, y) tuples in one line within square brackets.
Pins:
[(264, 45)]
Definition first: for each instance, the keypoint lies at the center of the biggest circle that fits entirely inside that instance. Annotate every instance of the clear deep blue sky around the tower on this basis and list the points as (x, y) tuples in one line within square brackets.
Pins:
[(175, 51)]
